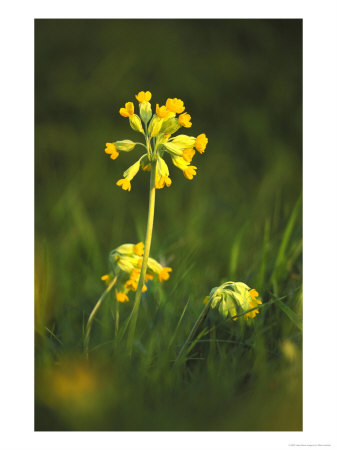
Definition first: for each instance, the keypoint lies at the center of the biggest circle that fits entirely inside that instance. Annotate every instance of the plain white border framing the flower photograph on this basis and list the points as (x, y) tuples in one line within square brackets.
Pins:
[(320, 224)]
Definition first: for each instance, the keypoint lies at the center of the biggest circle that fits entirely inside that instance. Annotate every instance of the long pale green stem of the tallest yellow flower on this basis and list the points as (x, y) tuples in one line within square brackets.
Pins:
[(147, 245)]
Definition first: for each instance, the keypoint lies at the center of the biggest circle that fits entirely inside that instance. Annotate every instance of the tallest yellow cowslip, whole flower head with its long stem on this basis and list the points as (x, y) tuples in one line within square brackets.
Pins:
[(157, 130)]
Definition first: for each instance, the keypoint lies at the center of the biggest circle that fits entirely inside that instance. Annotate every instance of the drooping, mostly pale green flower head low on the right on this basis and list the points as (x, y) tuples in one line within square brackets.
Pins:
[(232, 299)]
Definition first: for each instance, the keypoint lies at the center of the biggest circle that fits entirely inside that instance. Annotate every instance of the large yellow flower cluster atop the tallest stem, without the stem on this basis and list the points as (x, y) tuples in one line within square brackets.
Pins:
[(158, 129)]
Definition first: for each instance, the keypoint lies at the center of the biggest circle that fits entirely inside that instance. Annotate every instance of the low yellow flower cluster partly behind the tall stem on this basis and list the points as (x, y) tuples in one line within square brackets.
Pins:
[(126, 261)]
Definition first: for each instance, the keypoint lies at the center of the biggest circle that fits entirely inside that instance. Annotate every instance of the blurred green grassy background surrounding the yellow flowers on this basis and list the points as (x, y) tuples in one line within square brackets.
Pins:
[(239, 219)]
